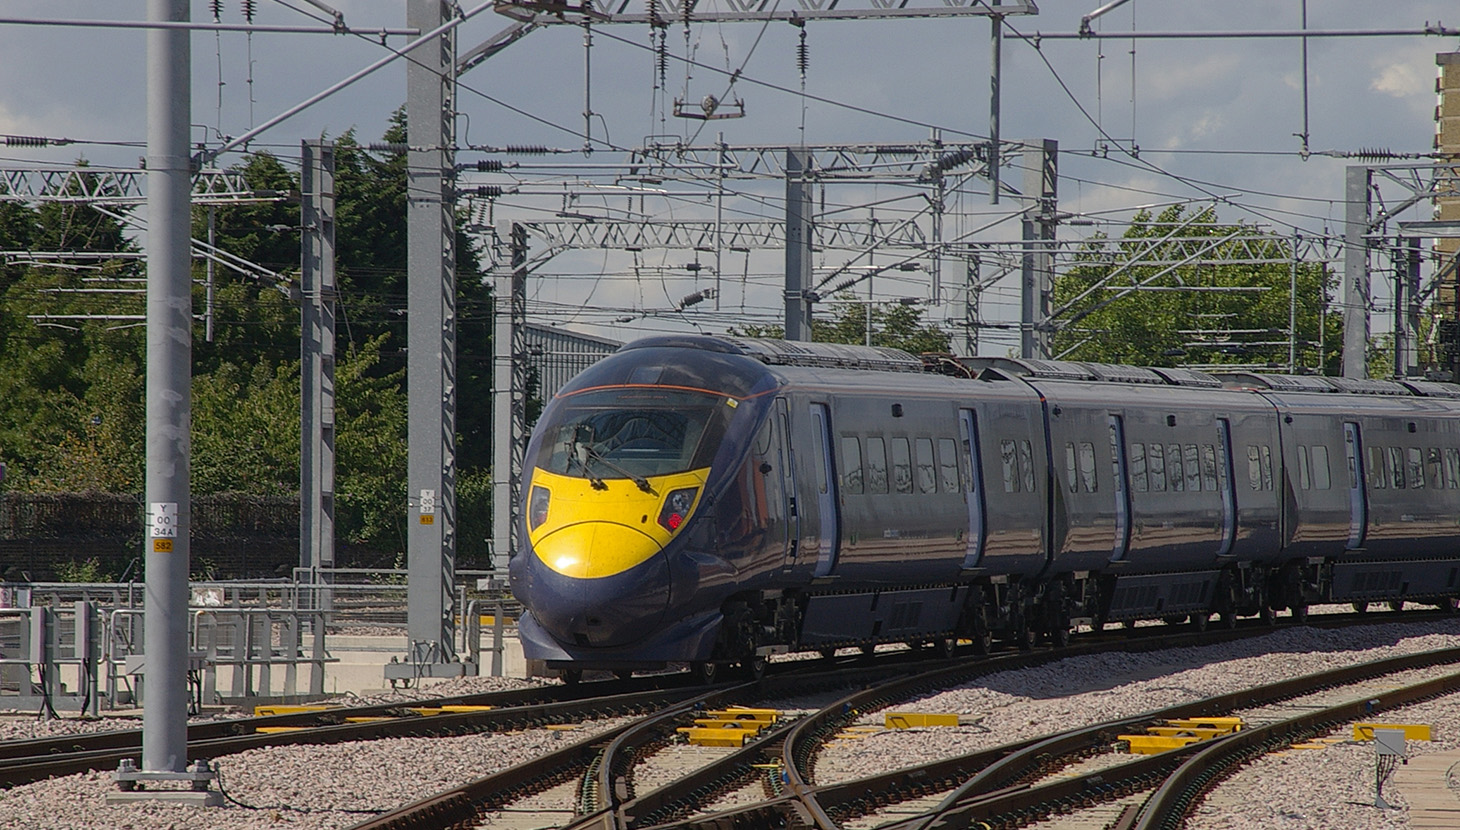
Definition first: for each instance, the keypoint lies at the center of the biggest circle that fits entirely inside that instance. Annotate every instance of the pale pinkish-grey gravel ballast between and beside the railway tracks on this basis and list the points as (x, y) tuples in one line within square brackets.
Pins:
[(315, 787)]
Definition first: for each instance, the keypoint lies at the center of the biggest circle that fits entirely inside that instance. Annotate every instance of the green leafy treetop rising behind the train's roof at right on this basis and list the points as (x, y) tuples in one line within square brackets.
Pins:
[(1118, 311)]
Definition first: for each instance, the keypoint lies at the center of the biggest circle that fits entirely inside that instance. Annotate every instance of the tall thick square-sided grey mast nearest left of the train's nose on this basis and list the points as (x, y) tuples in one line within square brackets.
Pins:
[(431, 338)]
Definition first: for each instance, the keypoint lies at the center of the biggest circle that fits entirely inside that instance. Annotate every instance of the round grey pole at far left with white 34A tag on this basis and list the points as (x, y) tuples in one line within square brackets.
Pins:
[(170, 389)]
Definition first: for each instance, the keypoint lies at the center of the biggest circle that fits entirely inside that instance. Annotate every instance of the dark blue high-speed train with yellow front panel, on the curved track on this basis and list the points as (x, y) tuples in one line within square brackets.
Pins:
[(715, 500)]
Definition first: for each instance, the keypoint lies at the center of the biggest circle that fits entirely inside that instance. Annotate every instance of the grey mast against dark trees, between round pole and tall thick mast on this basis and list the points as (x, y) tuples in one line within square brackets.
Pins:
[(318, 368)]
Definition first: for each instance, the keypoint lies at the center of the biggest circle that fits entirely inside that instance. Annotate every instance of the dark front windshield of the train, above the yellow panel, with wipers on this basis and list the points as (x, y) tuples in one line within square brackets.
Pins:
[(631, 433)]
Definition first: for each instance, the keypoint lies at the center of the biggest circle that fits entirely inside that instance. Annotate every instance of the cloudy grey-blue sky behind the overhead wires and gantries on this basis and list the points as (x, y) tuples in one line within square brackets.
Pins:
[(1210, 116)]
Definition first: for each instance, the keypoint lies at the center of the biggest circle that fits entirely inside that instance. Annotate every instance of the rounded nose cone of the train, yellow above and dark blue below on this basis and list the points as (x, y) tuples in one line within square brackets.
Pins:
[(599, 585)]
